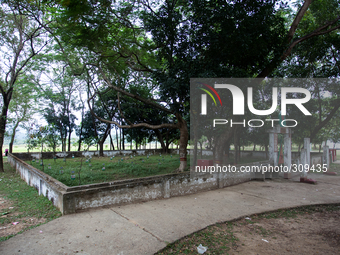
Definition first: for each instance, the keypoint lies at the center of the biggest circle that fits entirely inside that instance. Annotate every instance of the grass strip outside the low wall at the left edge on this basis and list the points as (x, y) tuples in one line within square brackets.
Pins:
[(21, 203)]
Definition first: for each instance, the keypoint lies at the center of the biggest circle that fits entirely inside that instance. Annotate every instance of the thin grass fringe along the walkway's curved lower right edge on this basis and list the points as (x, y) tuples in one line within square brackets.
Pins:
[(220, 238)]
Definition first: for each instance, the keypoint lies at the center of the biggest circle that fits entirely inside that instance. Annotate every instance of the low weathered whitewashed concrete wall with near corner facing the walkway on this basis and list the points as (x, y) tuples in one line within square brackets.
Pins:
[(72, 199)]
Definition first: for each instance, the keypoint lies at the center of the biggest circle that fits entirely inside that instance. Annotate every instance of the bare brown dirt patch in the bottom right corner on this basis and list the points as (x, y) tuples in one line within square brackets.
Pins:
[(316, 233)]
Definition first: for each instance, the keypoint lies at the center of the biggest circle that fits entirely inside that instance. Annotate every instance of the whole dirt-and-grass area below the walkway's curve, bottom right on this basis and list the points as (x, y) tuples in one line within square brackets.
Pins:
[(303, 230)]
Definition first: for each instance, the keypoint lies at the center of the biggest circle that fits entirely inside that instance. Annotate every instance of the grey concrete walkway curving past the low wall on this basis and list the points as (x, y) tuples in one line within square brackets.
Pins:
[(145, 228)]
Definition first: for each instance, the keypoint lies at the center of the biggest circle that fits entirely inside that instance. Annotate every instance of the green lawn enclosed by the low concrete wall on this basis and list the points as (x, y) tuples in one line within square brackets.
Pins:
[(104, 169)]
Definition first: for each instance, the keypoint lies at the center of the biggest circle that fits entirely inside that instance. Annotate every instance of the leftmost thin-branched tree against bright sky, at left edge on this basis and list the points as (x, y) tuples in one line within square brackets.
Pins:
[(21, 40)]
